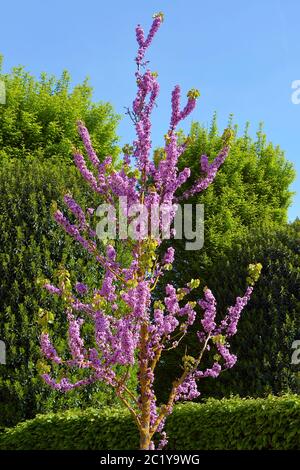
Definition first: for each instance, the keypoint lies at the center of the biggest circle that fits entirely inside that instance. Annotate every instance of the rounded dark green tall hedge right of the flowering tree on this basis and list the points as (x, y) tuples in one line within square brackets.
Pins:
[(268, 325)]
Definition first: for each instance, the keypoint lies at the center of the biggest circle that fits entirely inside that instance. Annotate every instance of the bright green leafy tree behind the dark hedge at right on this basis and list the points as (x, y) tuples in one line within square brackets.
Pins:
[(250, 191)]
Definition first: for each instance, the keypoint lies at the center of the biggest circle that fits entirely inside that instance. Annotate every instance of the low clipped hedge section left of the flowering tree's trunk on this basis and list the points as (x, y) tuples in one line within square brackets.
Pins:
[(108, 428)]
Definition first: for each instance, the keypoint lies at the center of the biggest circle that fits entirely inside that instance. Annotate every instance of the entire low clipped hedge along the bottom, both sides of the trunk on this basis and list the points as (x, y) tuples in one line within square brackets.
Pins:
[(229, 424)]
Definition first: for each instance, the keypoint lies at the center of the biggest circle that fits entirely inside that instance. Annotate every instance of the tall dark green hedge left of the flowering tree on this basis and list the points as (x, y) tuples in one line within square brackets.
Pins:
[(33, 246)]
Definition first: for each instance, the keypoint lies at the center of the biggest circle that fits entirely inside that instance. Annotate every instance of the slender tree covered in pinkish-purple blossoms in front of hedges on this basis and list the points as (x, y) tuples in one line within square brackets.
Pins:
[(128, 326)]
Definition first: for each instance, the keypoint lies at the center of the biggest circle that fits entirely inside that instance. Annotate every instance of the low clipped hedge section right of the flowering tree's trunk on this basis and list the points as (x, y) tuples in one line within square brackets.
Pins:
[(237, 424)]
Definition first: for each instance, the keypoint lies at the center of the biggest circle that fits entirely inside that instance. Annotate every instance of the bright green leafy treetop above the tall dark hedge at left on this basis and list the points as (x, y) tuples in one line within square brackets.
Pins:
[(39, 117)]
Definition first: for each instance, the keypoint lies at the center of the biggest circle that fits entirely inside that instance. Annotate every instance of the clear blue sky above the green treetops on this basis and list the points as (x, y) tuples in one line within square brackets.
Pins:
[(242, 55)]
